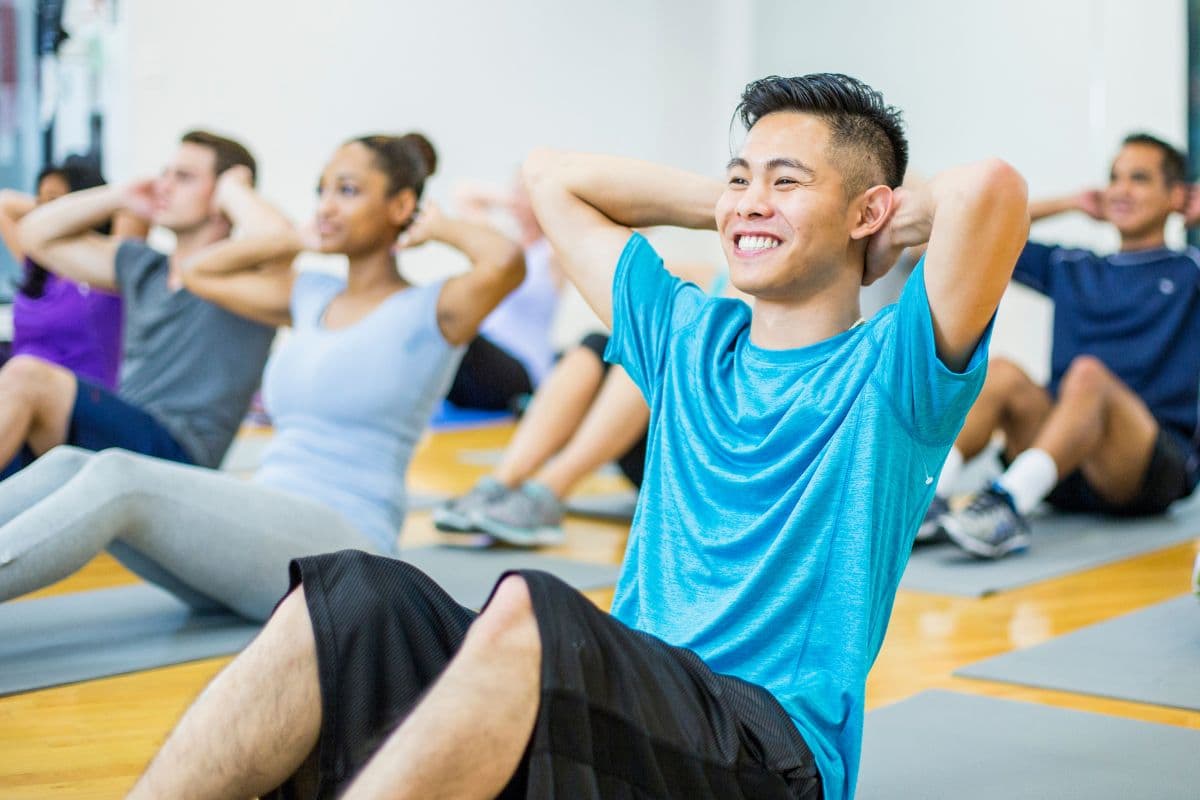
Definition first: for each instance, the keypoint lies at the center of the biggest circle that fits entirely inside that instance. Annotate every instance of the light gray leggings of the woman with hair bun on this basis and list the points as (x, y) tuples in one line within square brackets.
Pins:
[(212, 539)]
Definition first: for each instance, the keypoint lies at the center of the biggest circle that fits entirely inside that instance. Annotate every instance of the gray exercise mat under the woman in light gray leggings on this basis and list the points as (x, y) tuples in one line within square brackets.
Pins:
[(89, 635)]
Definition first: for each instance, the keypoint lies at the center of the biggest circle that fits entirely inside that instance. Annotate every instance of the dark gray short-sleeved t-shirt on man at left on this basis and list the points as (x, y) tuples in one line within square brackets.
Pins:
[(188, 363)]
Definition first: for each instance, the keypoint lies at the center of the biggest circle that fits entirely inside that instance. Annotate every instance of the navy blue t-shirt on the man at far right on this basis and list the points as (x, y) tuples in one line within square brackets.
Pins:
[(1137, 312)]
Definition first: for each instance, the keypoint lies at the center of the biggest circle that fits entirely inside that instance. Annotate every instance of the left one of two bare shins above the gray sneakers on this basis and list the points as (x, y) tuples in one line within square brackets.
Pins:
[(554, 416)]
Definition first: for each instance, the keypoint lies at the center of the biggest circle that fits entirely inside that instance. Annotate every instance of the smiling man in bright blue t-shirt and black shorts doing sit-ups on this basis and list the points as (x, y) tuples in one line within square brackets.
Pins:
[(791, 453)]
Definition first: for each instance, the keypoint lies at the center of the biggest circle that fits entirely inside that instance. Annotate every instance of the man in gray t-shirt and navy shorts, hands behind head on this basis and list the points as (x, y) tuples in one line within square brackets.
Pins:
[(190, 368)]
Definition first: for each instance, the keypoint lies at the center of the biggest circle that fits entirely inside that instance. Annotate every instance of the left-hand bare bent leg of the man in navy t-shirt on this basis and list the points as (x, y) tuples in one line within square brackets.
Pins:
[(1009, 402)]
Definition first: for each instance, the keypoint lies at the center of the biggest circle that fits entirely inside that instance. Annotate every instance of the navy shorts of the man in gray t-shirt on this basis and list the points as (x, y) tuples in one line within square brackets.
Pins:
[(101, 420)]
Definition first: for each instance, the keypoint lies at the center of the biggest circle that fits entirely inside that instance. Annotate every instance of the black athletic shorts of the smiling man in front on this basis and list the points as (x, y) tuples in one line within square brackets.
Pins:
[(621, 715)]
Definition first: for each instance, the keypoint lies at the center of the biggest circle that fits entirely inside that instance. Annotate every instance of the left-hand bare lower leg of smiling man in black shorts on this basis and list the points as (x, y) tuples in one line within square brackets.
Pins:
[(255, 724)]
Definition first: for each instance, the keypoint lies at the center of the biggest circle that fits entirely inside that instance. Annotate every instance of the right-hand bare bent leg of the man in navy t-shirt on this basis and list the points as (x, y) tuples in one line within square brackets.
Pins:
[(1101, 426)]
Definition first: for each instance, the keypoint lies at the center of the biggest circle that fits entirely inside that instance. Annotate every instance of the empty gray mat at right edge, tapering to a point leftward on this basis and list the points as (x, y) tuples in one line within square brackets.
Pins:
[(1148, 657)]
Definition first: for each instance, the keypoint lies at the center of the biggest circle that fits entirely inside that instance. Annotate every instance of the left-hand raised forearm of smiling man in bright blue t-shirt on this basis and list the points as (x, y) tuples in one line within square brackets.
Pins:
[(633, 194)]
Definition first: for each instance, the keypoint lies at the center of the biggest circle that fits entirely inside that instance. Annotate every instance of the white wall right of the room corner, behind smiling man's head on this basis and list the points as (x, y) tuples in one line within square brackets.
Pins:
[(1049, 86)]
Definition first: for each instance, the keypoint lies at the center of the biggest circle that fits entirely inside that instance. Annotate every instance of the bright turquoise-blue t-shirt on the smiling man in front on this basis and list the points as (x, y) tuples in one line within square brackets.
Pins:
[(783, 490)]
